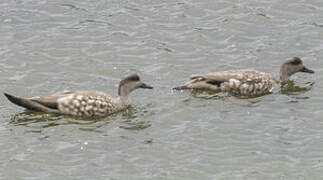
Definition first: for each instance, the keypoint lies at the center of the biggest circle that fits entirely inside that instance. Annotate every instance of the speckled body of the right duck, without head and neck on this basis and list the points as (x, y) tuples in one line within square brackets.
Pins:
[(236, 82)]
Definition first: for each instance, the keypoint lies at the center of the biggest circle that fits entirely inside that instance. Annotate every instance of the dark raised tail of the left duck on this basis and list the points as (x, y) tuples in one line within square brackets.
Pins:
[(28, 103)]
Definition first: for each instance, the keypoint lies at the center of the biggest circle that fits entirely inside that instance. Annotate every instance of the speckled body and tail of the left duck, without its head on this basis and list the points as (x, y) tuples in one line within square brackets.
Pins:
[(79, 103)]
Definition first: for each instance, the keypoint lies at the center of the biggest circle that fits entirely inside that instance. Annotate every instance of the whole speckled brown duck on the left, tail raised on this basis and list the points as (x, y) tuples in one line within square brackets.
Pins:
[(82, 103)]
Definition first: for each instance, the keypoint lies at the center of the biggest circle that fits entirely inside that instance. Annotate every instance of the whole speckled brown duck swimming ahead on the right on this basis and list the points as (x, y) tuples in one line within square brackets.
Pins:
[(245, 82)]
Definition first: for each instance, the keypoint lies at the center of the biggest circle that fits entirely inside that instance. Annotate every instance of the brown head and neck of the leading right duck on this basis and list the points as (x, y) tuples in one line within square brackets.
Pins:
[(292, 66)]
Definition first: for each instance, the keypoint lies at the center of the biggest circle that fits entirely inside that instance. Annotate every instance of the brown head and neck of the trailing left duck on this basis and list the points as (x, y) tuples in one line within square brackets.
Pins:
[(130, 83)]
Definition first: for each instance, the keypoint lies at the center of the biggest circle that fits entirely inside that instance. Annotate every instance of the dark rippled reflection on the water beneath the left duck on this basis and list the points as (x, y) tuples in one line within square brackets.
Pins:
[(131, 120)]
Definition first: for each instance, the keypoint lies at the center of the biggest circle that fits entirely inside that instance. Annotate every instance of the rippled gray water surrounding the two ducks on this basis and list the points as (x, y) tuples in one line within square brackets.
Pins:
[(49, 46)]
